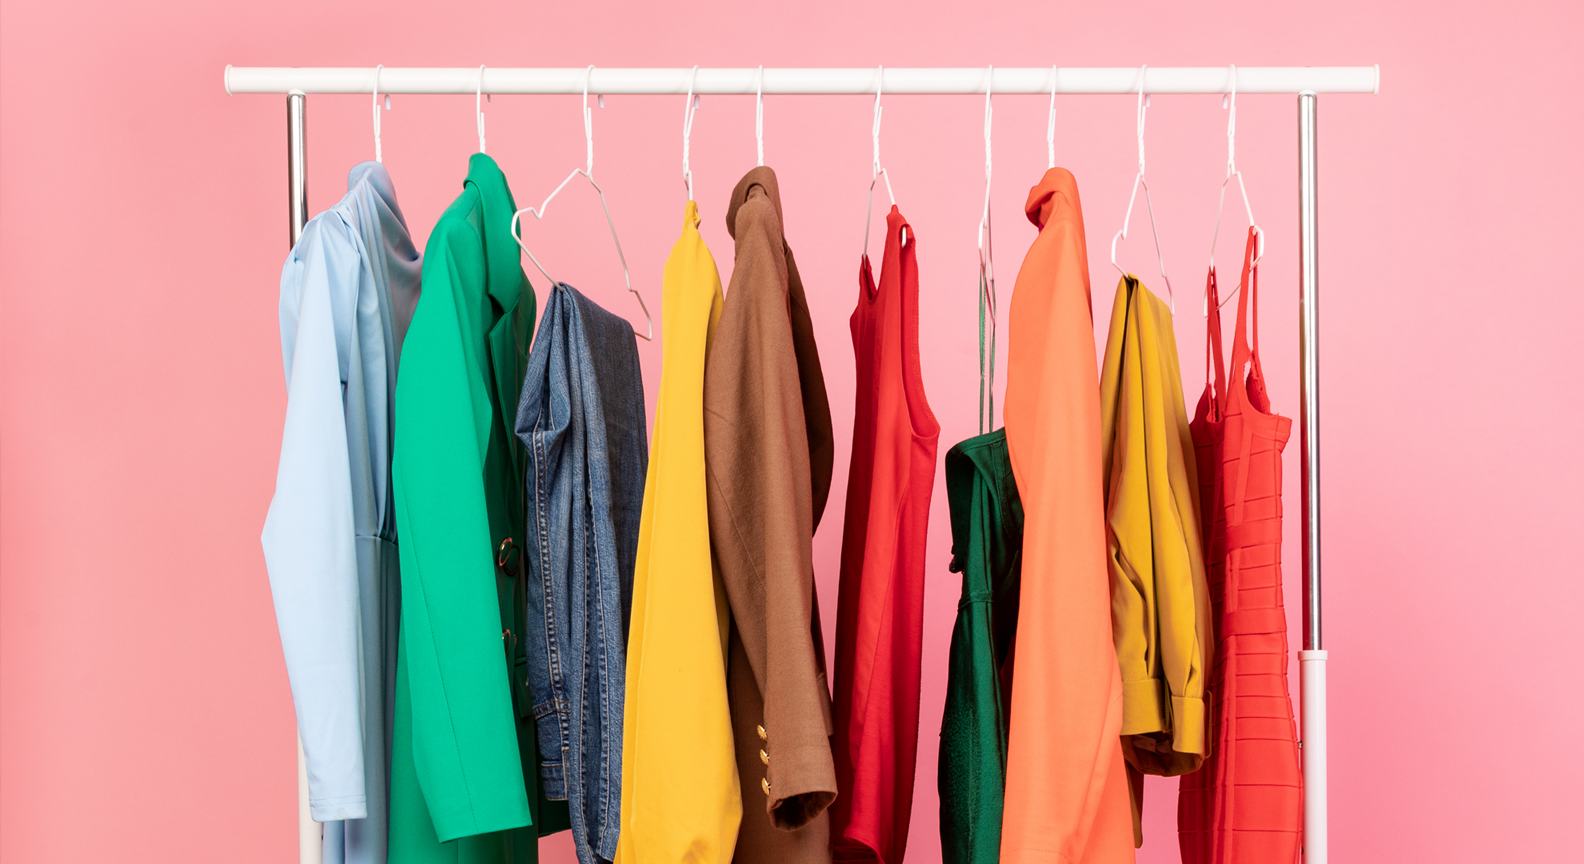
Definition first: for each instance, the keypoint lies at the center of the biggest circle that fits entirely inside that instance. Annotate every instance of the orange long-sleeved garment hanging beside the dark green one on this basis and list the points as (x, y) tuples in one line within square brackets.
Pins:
[(1067, 790)]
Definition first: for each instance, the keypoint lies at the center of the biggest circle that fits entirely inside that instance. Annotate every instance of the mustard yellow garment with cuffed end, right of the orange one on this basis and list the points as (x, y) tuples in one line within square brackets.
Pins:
[(1160, 605)]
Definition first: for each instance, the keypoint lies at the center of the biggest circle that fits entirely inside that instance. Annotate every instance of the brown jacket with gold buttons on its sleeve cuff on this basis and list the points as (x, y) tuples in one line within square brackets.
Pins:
[(769, 453)]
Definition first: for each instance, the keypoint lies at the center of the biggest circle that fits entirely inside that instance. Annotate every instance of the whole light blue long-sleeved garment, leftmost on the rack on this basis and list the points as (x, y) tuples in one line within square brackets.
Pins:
[(348, 294)]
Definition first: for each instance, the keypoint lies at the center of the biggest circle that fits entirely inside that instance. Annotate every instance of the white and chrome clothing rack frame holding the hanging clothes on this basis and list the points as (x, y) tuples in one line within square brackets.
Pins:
[(1306, 83)]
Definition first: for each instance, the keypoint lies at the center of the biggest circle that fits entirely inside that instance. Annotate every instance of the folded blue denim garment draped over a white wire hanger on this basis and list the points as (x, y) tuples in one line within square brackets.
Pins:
[(582, 421)]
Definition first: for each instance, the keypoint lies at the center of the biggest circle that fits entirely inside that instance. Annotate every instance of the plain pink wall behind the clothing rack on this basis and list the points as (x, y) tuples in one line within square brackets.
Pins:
[(145, 713)]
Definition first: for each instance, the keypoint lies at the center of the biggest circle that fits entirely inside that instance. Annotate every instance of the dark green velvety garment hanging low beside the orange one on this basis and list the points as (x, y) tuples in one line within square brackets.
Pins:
[(988, 543)]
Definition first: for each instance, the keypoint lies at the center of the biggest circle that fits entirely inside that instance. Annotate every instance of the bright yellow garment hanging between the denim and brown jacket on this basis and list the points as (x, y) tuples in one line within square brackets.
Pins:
[(680, 798)]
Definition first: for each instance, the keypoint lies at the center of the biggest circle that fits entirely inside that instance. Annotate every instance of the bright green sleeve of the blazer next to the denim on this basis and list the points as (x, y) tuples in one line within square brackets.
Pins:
[(465, 743)]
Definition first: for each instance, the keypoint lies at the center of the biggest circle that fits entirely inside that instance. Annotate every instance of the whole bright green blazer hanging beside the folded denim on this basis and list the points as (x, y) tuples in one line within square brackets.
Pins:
[(463, 744)]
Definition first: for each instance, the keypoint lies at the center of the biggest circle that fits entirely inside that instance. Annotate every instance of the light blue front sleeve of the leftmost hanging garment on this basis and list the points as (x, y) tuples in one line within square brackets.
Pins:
[(310, 533)]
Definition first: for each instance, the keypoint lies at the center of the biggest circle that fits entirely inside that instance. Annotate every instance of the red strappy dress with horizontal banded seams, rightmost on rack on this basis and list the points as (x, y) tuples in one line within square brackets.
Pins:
[(1247, 803)]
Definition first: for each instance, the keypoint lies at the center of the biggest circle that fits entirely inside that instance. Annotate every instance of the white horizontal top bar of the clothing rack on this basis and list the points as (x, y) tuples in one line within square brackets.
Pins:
[(805, 82)]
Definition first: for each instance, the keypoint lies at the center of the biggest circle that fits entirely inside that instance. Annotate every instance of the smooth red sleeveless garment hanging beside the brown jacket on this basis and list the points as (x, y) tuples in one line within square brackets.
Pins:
[(880, 616)]
